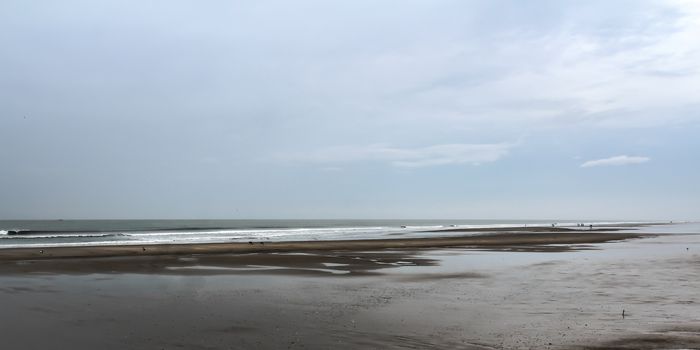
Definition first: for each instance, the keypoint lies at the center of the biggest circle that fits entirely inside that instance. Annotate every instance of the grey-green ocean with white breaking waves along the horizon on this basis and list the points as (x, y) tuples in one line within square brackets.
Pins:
[(54, 233)]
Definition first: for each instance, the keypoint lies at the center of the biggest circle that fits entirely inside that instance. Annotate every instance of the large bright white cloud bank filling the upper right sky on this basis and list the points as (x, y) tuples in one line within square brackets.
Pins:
[(608, 66)]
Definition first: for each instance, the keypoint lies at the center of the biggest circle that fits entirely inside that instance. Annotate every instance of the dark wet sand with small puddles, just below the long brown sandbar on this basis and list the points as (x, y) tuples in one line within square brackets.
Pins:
[(317, 264)]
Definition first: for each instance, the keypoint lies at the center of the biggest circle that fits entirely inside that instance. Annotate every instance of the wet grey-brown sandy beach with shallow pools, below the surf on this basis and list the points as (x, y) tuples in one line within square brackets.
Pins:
[(507, 289)]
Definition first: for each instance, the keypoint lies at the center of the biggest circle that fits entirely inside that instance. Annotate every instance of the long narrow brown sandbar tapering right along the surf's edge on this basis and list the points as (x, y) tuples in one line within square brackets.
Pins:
[(510, 238)]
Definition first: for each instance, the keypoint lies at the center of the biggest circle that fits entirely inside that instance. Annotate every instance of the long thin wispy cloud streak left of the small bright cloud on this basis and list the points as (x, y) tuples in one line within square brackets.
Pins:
[(458, 153)]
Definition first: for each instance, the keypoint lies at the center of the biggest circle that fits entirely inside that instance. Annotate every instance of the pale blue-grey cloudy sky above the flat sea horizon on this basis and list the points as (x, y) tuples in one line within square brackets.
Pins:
[(350, 109)]
